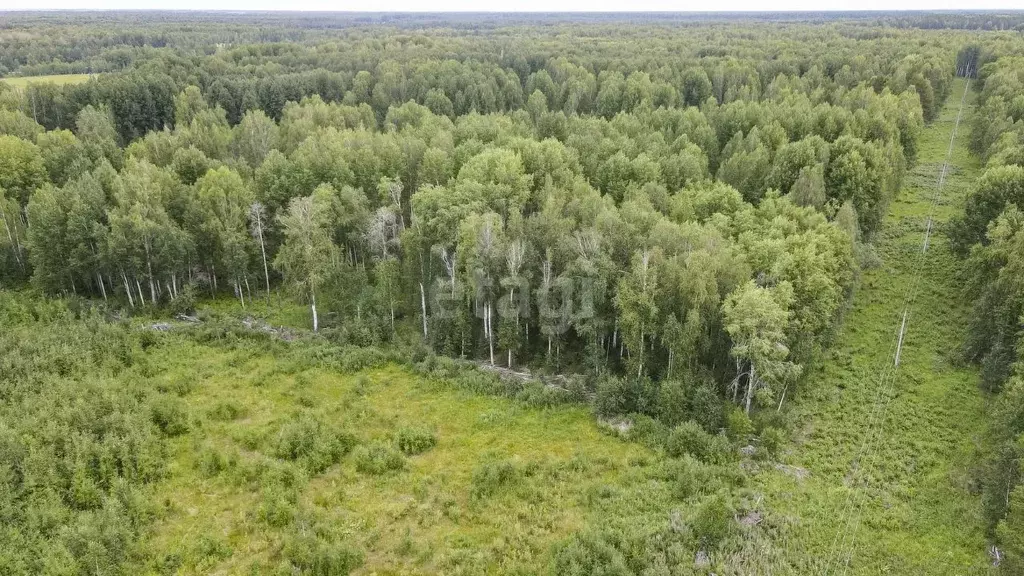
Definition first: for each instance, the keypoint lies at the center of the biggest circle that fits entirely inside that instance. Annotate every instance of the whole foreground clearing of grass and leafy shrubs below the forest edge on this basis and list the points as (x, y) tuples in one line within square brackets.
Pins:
[(216, 448)]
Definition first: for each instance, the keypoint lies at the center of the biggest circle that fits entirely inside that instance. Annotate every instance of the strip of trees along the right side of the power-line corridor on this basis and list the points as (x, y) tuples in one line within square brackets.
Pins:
[(989, 237)]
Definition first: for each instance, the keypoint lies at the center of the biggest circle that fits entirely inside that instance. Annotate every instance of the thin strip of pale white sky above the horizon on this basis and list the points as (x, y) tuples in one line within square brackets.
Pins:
[(513, 6)]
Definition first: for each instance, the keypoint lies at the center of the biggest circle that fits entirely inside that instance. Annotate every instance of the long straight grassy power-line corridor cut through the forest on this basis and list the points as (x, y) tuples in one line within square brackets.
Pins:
[(920, 514)]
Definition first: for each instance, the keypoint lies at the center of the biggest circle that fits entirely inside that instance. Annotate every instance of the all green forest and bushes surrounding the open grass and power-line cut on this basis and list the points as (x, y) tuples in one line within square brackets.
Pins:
[(671, 215)]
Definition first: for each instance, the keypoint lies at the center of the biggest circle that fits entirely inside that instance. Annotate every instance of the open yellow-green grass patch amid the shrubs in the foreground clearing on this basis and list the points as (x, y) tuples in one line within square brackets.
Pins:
[(502, 483)]
